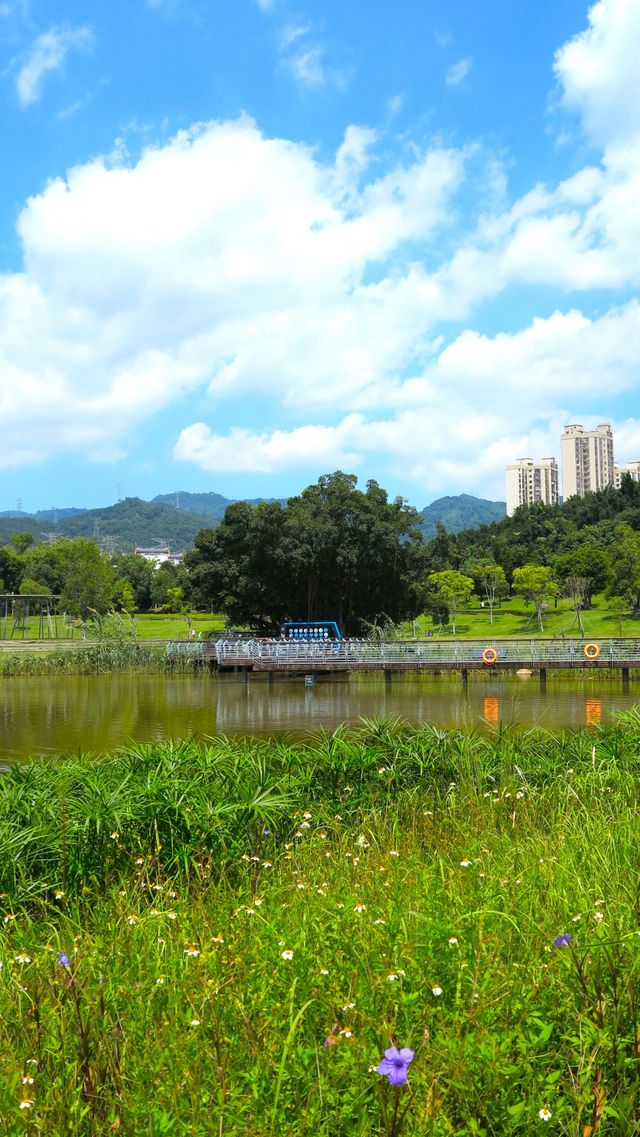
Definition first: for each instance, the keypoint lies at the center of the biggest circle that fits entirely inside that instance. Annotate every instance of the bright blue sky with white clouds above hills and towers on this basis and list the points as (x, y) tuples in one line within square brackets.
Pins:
[(247, 243)]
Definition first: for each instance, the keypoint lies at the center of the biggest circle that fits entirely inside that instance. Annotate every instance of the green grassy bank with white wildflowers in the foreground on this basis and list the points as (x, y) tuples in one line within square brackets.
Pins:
[(227, 937)]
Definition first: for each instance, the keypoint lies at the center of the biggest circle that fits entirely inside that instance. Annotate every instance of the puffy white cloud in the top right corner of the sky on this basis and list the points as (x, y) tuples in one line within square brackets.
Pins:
[(599, 72)]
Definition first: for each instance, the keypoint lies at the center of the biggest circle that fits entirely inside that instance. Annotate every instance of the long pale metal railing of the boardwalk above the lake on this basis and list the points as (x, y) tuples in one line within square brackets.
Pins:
[(365, 655)]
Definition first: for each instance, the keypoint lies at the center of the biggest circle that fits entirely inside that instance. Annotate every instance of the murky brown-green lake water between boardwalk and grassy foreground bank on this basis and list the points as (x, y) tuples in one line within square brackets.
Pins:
[(67, 715)]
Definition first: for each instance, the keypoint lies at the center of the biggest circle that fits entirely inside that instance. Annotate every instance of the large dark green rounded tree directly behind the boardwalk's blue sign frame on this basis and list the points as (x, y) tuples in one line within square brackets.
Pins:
[(334, 553)]
